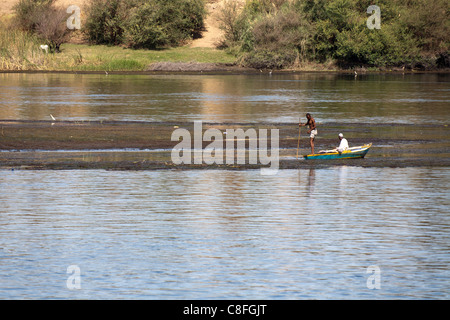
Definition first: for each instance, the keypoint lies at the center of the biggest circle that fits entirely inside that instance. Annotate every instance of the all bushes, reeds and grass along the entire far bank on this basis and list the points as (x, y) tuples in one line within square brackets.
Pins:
[(129, 35)]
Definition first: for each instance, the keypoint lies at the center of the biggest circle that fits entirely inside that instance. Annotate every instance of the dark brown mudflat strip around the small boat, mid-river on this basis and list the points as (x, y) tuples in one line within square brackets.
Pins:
[(127, 145)]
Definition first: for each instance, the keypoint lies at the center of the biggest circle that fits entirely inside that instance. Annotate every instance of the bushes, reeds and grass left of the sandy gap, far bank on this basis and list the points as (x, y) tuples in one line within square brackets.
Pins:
[(115, 45)]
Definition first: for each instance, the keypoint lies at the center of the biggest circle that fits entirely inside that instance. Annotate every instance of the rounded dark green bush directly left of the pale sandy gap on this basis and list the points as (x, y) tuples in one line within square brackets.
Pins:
[(147, 24)]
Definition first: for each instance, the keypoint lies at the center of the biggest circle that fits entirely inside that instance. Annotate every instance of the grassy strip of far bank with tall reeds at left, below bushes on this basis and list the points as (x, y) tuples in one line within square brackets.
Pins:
[(22, 54)]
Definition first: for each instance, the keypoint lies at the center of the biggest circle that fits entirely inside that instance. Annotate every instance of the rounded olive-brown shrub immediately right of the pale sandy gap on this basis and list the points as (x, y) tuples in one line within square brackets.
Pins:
[(270, 34)]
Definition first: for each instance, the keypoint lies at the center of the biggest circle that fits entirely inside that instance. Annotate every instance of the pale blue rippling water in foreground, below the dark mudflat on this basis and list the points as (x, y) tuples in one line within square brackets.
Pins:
[(225, 234)]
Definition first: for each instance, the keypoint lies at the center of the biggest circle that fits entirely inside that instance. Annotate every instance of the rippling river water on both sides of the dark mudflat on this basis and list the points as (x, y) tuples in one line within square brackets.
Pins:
[(217, 234)]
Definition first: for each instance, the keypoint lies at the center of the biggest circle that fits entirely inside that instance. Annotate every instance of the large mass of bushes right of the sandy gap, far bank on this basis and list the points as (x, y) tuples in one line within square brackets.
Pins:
[(295, 33)]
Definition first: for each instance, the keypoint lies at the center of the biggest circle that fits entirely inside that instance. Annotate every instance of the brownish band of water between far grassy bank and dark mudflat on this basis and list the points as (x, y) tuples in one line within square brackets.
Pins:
[(219, 98)]
